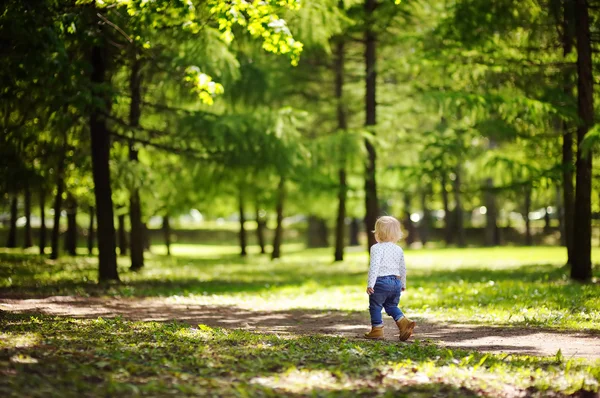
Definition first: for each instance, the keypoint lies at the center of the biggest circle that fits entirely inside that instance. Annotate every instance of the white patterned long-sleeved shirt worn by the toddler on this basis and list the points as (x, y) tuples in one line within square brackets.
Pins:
[(387, 258)]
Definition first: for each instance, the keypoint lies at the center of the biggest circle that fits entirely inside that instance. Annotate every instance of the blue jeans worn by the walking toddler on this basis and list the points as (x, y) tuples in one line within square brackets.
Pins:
[(387, 296)]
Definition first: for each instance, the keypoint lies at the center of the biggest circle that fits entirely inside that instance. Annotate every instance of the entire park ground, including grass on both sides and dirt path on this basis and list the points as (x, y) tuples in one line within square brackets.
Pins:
[(491, 322)]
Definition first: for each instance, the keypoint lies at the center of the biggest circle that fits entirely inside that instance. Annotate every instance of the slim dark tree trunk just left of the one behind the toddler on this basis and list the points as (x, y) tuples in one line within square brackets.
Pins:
[(340, 225)]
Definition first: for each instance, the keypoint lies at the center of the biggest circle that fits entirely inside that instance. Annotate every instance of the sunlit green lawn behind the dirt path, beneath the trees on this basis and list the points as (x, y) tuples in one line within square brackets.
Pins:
[(501, 286)]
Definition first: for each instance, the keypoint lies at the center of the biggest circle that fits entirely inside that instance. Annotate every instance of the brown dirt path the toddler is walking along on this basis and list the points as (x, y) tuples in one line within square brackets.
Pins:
[(483, 338)]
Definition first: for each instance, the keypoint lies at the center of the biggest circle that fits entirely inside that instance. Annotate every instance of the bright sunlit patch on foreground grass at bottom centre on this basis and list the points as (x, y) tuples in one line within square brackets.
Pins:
[(302, 381)]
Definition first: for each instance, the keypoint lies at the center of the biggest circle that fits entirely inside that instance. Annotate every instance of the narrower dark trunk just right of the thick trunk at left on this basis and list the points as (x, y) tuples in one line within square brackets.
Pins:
[(135, 206)]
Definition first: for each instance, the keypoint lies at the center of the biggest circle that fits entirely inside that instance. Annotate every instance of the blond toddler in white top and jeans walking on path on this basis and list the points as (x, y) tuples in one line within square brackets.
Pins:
[(387, 279)]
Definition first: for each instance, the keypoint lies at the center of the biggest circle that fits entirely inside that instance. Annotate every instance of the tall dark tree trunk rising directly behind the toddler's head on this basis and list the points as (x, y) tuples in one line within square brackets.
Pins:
[(371, 202)]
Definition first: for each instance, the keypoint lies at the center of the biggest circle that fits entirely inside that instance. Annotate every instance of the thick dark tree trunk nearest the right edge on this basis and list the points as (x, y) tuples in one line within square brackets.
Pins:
[(581, 267)]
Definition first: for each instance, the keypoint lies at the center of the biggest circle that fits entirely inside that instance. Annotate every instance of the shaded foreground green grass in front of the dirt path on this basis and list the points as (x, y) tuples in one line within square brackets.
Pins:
[(55, 356)]
